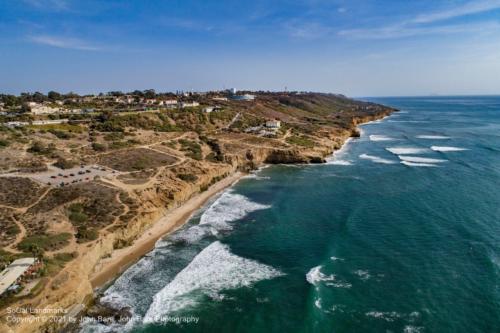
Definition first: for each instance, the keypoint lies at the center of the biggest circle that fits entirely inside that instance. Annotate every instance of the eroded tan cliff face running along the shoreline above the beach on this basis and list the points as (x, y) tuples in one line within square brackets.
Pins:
[(72, 285)]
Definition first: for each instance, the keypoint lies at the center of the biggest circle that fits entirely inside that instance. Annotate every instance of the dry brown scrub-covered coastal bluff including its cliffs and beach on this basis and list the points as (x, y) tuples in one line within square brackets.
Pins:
[(152, 185)]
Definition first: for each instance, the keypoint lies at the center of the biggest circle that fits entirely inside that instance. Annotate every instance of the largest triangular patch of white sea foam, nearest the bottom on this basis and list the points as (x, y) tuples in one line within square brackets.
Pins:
[(214, 269)]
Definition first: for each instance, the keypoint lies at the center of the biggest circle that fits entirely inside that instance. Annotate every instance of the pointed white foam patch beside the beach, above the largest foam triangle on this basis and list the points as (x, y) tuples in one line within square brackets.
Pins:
[(229, 207)]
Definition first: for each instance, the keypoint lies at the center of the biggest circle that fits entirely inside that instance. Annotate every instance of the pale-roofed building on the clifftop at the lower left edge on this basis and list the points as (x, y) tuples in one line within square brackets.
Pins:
[(19, 269)]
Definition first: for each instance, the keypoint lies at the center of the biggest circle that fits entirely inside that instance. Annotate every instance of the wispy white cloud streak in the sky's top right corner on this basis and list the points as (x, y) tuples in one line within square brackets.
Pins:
[(469, 8)]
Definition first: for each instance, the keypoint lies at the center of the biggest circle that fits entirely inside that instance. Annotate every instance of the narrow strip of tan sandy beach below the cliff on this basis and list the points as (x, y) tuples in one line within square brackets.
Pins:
[(121, 259)]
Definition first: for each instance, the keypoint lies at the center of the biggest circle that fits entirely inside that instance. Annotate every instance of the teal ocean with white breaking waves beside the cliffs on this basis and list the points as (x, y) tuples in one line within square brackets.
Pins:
[(398, 232)]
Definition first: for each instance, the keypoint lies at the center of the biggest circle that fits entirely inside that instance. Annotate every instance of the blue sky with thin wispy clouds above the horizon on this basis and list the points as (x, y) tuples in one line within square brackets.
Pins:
[(359, 48)]
